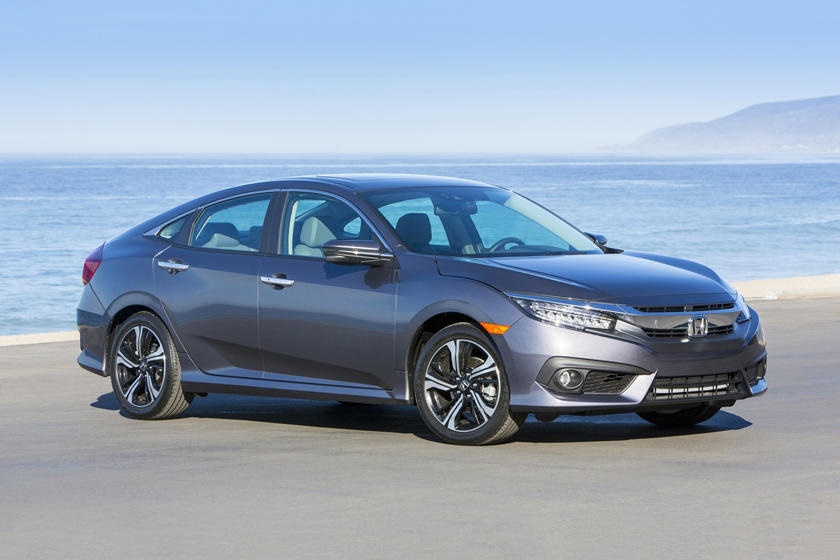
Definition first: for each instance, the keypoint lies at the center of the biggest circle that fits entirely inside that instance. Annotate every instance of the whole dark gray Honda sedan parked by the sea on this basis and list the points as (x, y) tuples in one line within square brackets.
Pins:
[(467, 300)]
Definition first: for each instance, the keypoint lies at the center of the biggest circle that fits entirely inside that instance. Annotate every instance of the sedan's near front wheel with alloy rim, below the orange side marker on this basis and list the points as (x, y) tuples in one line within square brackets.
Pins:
[(464, 400)]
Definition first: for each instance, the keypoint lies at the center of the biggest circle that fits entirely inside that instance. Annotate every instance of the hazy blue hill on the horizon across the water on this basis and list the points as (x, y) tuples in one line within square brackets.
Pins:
[(802, 126)]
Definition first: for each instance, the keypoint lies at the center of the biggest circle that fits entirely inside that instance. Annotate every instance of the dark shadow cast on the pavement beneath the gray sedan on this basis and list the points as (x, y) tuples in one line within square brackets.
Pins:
[(406, 419)]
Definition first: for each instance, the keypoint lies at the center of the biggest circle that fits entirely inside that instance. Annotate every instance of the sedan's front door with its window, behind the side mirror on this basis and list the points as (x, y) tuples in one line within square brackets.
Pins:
[(324, 323)]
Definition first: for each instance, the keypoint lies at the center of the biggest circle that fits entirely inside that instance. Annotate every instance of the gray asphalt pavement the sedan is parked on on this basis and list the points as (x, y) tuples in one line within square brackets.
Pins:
[(254, 477)]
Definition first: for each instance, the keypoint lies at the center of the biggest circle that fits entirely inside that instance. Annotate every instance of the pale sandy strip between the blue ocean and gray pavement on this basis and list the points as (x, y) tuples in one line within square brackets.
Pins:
[(827, 285)]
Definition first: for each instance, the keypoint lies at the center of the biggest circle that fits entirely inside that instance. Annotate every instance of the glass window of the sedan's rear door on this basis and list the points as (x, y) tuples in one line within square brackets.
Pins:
[(233, 225)]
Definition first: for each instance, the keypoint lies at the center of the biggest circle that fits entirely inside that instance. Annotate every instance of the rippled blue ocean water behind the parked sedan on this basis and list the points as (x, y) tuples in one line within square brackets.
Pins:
[(746, 218)]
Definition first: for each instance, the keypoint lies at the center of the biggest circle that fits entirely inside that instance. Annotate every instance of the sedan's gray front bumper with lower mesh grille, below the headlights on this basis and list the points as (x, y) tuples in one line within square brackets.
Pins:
[(630, 373)]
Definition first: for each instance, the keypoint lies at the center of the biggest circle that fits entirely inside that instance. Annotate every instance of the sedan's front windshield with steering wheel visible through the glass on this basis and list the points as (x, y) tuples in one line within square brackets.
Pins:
[(477, 222)]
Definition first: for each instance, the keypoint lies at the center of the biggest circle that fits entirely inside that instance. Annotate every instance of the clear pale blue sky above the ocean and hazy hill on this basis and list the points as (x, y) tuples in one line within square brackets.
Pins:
[(368, 76)]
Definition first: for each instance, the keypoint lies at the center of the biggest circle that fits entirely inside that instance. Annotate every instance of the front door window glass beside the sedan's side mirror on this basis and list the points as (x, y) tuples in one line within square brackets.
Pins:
[(311, 219)]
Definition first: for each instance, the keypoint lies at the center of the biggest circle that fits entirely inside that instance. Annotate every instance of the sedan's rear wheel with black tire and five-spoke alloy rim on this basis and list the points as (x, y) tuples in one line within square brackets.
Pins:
[(144, 369)]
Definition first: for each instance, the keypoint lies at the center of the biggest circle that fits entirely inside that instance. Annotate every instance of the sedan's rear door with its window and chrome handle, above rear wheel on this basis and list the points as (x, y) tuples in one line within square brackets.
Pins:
[(209, 286)]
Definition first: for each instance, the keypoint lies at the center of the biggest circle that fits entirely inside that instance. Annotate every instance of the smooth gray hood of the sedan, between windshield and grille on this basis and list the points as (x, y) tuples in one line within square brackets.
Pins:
[(627, 278)]
